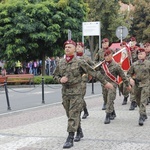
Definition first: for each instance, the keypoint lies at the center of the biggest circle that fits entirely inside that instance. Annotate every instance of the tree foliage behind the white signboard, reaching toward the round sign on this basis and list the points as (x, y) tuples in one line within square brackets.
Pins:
[(110, 17)]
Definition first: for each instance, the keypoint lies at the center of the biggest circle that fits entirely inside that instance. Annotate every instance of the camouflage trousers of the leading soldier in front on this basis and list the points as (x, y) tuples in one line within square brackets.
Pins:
[(73, 105)]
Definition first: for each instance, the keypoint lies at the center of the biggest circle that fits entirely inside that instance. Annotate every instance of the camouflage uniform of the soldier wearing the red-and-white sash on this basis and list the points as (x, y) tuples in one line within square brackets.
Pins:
[(110, 94)]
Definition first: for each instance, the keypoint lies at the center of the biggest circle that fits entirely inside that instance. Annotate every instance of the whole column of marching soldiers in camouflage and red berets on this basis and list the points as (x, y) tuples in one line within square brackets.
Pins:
[(73, 70)]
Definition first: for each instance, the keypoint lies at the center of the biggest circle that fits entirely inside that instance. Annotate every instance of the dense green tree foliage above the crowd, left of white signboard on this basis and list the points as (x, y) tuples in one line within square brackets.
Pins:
[(31, 29)]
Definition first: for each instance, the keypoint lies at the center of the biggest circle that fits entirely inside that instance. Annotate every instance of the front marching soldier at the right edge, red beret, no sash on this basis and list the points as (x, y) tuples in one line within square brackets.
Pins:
[(139, 74)]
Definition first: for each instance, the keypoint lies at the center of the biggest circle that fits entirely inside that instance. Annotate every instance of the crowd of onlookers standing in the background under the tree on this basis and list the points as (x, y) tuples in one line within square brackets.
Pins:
[(31, 67)]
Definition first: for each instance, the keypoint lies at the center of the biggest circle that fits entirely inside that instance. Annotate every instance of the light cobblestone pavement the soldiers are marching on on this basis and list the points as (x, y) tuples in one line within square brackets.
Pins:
[(45, 129)]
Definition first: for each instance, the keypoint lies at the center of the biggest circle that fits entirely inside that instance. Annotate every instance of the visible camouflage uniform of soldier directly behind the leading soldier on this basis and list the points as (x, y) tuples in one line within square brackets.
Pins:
[(84, 81)]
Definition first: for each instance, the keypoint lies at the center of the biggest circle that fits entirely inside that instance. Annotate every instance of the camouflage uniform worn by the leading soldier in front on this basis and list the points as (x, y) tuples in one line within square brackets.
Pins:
[(72, 94)]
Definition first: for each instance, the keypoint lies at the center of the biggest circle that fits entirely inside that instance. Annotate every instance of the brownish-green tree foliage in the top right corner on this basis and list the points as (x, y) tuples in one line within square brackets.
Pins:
[(141, 21)]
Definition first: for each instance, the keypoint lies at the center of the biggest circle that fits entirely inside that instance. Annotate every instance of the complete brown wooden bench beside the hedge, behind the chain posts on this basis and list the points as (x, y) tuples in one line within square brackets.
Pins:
[(20, 78)]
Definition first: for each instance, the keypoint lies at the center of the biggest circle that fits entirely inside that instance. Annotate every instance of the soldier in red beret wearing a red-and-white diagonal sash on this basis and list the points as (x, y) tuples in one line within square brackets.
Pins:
[(111, 70)]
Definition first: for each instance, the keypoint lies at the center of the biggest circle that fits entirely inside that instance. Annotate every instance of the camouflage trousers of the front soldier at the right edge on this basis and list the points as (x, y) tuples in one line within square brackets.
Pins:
[(141, 96)]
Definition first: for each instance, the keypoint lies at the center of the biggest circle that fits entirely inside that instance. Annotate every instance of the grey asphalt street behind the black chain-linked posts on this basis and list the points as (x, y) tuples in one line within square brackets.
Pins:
[(25, 97)]
